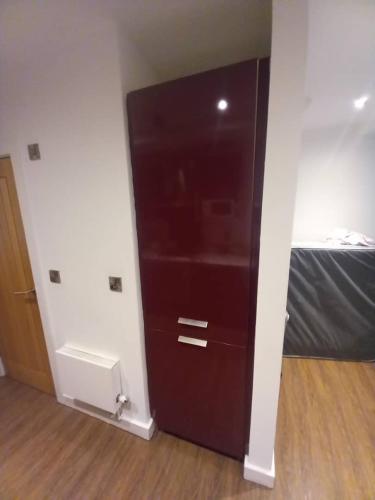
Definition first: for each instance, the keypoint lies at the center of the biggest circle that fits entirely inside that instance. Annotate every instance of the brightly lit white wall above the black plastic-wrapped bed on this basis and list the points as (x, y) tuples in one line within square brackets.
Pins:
[(336, 182)]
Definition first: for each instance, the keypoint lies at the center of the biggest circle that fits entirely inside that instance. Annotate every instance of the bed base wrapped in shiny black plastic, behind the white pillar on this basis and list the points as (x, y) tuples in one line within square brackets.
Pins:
[(331, 302)]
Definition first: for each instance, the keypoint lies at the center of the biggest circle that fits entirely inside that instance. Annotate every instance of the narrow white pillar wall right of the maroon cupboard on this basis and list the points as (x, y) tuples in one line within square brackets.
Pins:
[(289, 35)]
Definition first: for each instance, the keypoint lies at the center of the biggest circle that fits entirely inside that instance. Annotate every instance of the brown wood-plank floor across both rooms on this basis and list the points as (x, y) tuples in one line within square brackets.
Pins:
[(325, 447)]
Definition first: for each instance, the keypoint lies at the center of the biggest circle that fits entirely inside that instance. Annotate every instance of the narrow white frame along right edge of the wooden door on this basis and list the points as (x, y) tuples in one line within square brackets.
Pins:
[(36, 268)]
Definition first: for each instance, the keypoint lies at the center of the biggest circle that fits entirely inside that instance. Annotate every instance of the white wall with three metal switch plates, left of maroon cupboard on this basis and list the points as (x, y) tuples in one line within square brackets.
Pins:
[(60, 86)]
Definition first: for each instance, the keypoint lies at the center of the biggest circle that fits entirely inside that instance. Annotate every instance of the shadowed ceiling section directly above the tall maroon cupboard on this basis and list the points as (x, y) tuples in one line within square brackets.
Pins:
[(180, 37)]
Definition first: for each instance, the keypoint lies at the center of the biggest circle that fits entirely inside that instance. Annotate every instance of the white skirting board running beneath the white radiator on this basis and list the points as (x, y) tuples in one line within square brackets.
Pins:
[(140, 429)]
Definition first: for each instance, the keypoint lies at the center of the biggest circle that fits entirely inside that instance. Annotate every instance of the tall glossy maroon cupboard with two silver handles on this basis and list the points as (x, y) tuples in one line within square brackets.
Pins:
[(197, 147)]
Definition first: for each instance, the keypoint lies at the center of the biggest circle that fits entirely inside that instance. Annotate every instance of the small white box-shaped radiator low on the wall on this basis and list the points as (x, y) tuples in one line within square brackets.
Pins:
[(89, 378)]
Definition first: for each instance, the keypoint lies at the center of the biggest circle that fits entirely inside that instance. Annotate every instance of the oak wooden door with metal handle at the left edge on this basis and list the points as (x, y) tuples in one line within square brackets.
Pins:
[(22, 344)]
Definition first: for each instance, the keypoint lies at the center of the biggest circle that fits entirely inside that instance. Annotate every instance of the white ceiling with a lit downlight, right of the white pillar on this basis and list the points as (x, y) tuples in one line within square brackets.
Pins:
[(340, 64)]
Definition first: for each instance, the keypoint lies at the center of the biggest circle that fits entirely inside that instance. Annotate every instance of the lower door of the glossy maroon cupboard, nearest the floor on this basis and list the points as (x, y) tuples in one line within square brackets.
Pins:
[(199, 390)]
